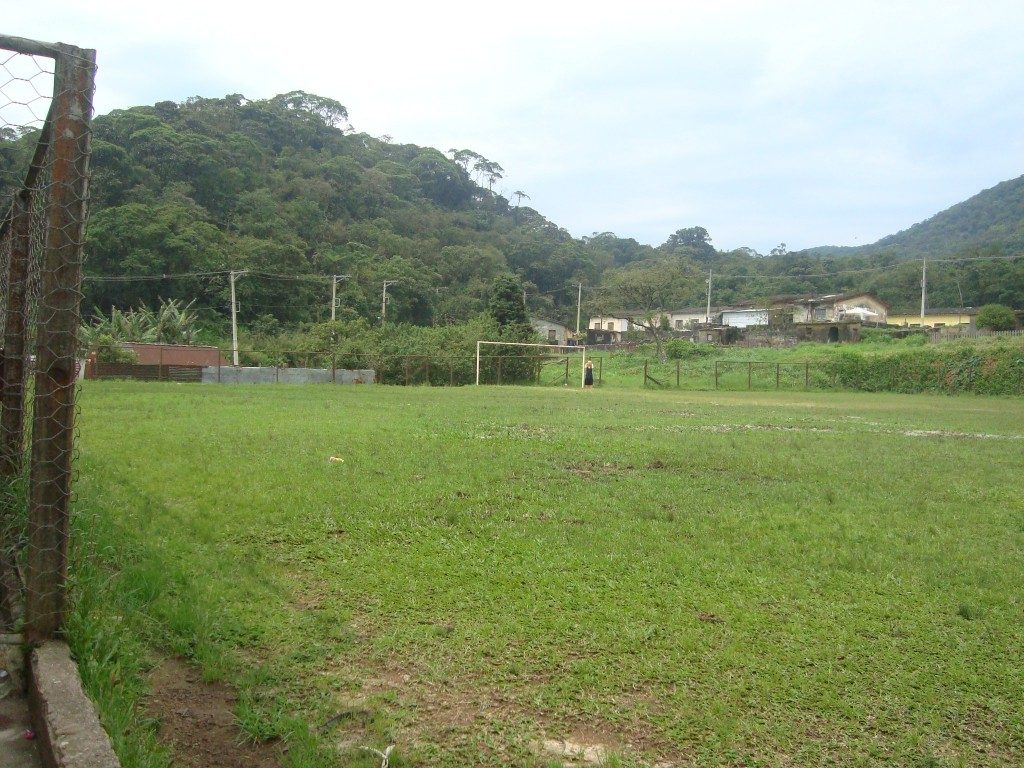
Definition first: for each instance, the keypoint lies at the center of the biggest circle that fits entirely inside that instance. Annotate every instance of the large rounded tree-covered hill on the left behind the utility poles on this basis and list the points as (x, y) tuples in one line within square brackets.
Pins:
[(285, 187)]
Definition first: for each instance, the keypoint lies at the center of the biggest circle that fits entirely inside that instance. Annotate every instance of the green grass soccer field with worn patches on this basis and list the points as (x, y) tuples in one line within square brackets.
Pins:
[(679, 578)]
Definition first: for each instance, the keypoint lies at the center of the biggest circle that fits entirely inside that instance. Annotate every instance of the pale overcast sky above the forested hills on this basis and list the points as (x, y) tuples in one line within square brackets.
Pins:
[(809, 123)]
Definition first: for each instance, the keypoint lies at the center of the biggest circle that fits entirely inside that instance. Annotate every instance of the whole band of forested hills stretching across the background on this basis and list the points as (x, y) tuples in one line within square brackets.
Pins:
[(286, 189)]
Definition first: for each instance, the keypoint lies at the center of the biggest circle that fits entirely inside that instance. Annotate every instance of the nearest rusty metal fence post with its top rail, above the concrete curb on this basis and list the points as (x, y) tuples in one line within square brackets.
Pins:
[(64, 152)]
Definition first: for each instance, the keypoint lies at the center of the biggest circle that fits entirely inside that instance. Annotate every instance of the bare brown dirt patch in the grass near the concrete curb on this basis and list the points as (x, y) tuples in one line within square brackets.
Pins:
[(197, 721)]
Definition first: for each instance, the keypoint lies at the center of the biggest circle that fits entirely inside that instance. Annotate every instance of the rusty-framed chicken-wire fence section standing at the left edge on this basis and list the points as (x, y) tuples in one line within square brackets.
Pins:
[(46, 118)]
